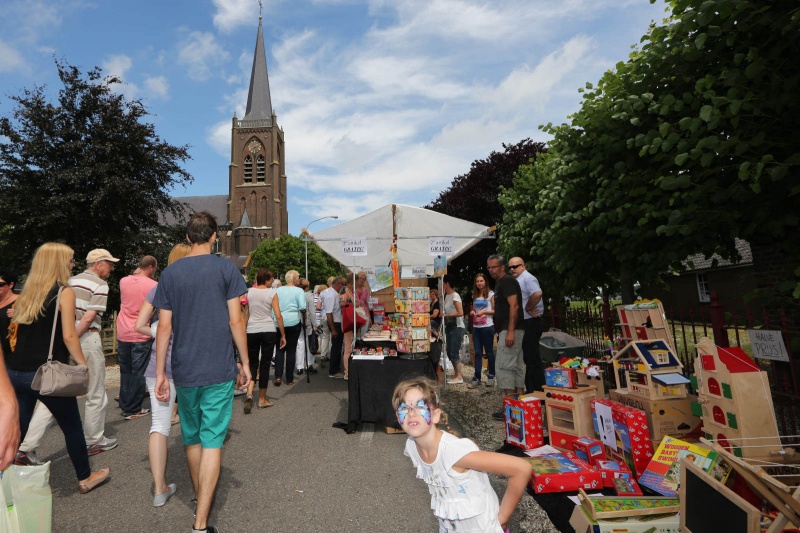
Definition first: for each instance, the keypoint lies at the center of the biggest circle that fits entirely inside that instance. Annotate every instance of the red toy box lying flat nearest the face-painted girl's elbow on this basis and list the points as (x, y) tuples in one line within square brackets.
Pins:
[(562, 472)]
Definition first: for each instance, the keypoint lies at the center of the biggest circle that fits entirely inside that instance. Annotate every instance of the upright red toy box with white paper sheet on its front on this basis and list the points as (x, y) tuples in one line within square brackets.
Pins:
[(629, 431)]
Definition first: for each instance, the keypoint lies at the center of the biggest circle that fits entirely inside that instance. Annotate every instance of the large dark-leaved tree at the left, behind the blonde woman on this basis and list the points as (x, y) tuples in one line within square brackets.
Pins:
[(86, 169)]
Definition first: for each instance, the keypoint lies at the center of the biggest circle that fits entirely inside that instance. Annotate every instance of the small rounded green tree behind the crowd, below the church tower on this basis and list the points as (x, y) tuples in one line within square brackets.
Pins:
[(288, 253)]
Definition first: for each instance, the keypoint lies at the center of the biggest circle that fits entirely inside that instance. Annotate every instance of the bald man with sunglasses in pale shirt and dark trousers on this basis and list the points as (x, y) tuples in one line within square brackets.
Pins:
[(533, 309)]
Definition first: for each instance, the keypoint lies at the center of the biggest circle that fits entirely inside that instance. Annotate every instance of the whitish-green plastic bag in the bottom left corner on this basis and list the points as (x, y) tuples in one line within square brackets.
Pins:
[(26, 495)]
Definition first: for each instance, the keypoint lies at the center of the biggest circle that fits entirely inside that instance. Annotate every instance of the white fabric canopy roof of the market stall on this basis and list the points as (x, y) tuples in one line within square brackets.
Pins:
[(413, 227)]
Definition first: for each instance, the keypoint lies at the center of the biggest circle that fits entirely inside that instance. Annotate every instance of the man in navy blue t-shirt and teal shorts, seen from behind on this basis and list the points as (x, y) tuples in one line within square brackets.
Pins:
[(198, 298)]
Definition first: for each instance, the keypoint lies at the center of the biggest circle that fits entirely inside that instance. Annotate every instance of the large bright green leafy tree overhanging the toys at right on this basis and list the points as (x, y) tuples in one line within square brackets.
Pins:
[(687, 145)]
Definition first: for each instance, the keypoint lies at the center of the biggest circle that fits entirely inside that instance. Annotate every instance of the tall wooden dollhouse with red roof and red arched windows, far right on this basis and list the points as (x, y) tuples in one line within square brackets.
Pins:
[(735, 401)]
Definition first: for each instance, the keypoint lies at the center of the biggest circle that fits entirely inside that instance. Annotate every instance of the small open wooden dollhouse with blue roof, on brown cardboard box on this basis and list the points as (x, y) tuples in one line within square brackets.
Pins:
[(649, 368)]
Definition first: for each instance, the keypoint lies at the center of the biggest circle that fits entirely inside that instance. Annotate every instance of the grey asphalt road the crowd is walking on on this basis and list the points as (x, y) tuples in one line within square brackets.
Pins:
[(283, 469)]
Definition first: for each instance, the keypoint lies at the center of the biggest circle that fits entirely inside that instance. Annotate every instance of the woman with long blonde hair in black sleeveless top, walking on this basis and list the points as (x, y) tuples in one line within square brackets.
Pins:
[(34, 316)]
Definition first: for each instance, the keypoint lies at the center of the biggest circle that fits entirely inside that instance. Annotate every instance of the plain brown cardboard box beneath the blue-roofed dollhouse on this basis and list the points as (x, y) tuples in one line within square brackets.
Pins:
[(671, 417)]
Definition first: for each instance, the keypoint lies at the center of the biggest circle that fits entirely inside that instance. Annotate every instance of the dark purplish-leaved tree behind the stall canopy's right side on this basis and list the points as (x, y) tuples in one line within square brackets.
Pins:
[(474, 197)]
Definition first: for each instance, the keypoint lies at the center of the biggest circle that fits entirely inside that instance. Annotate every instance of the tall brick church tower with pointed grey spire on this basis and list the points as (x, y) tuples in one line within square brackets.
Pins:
[(257, 174)]
